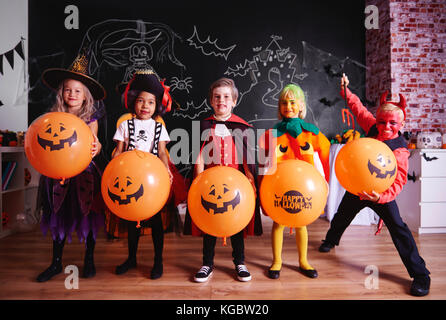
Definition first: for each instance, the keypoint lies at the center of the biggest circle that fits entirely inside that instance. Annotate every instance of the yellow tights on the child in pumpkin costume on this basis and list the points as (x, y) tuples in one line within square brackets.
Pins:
[(301, 242)]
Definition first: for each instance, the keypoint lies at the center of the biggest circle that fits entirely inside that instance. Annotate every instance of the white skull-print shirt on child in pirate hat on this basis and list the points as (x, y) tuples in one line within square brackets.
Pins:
[(144, 134)]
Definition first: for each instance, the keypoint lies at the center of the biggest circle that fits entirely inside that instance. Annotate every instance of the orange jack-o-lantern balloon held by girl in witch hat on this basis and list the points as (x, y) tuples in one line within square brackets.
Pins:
[(58, 145)]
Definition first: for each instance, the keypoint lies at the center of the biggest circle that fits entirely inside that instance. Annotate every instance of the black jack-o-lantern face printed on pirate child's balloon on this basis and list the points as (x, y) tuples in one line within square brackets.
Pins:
[(125, 190)]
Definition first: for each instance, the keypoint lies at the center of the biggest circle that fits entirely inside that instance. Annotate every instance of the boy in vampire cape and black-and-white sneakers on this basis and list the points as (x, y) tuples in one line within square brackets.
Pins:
[(223, 97)]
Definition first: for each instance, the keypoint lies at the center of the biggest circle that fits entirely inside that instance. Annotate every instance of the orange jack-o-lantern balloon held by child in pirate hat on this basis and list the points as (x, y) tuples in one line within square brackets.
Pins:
[(135, 185)]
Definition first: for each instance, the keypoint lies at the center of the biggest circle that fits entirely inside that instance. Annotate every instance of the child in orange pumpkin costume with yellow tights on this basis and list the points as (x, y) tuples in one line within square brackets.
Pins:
[(295, 139)]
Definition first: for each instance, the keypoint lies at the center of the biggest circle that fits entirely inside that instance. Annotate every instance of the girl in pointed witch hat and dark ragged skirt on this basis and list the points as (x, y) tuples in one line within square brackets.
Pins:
[(77, 204)]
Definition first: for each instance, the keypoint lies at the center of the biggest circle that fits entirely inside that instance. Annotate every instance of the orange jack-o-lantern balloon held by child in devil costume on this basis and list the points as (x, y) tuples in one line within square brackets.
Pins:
[(366, 164)]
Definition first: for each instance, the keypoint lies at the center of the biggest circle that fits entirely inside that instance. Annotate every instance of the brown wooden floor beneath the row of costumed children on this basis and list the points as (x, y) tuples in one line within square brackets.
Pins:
[(341, 272)]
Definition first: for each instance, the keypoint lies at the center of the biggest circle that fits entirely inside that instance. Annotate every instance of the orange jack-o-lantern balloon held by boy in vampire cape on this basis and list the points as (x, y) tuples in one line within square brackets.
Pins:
[(221, 201)]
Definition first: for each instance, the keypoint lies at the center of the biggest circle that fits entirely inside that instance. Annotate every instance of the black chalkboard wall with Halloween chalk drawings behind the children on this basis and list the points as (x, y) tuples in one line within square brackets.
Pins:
[(260, 45)]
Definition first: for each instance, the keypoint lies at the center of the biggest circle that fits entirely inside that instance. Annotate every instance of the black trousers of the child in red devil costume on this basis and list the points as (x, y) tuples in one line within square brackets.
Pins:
[(401, 236)]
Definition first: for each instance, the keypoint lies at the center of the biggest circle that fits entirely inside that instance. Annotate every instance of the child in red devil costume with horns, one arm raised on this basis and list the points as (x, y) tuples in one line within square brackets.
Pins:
[(390, 118)]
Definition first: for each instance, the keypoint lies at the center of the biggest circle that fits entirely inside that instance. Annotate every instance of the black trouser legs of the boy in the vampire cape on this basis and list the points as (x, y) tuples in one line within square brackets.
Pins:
[(238, 249)]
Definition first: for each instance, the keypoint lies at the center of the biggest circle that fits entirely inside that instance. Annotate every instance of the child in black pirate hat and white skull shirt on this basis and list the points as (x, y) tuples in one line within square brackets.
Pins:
[(147, 97)]
